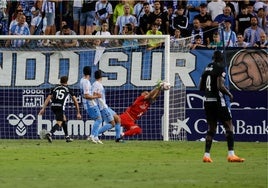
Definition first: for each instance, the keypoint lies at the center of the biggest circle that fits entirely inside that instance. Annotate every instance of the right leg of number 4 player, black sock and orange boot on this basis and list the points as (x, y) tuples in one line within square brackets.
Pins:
[(228, 126)]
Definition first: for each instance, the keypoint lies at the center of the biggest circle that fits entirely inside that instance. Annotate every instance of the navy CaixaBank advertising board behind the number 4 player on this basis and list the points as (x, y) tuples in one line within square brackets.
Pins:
[(249, 119)]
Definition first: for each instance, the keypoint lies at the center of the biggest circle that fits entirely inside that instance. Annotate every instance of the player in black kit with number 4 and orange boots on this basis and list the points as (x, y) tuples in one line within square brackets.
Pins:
[(212, 83)]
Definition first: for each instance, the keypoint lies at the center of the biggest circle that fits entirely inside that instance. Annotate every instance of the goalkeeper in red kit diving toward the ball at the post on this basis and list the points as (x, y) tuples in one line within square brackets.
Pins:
[(137, 109)]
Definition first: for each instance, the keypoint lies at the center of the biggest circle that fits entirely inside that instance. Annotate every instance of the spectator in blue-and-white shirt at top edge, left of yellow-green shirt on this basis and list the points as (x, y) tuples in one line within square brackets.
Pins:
[(104, 11)]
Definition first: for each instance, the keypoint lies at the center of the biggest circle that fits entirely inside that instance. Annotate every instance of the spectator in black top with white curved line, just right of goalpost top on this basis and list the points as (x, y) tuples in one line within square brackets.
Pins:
[(180, 21)]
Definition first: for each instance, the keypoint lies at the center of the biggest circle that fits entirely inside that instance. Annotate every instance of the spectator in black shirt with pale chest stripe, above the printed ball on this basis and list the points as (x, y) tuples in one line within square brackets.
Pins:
[(243, 19)]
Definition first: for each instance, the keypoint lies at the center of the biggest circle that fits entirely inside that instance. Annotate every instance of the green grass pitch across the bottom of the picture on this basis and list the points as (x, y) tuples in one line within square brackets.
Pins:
[(148, 164)]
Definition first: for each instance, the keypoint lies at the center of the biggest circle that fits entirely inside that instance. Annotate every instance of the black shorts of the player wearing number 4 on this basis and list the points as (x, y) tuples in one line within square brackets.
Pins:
[(214, 112)]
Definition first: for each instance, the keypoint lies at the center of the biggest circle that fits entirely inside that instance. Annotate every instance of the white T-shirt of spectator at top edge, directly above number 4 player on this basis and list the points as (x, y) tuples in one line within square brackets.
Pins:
[(215, 8)]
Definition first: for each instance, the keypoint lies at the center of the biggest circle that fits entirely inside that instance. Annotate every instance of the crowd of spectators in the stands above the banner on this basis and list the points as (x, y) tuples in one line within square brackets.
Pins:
[(209, 24)]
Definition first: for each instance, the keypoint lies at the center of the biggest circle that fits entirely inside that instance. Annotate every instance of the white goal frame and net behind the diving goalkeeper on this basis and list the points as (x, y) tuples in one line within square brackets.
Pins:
[(28, 72)]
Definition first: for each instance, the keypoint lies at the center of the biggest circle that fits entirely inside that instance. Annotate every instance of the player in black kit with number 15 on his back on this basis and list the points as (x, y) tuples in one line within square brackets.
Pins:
[(58, 97)]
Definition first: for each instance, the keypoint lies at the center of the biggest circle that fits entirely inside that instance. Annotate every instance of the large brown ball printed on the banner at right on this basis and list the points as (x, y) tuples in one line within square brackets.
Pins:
[(248, 70)]
